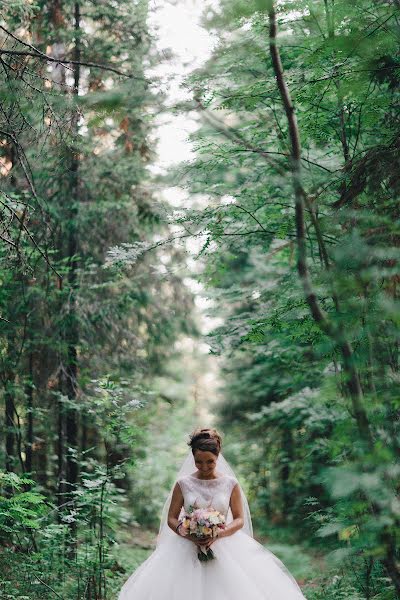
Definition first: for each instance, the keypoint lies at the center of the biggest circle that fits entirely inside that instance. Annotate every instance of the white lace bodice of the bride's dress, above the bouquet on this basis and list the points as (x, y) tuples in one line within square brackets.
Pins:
[(207, 492)]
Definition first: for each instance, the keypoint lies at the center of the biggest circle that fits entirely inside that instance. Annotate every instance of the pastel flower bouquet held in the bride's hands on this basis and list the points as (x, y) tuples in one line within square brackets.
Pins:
[(202, 524)]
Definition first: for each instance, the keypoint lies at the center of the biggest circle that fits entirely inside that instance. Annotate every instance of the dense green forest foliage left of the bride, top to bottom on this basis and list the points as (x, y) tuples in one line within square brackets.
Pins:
[(80, 344)]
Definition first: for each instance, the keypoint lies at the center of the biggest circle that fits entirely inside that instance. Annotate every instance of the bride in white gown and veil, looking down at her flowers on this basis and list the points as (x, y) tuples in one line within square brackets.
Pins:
[(242, 569)]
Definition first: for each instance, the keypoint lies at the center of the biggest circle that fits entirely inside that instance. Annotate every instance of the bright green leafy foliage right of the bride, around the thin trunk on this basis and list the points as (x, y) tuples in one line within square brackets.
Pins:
[(287, 391)]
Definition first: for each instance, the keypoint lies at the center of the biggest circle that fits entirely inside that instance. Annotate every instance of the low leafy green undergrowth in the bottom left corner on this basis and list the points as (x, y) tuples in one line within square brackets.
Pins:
[(37, 557)]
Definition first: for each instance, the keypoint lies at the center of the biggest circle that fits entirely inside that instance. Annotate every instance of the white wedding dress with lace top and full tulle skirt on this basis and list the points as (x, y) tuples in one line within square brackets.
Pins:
[(241, 570)]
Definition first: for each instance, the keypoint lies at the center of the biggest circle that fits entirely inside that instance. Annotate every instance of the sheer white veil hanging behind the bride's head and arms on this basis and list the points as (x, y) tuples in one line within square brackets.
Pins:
[(187, 468)]
